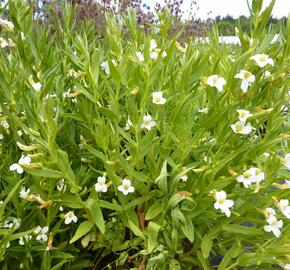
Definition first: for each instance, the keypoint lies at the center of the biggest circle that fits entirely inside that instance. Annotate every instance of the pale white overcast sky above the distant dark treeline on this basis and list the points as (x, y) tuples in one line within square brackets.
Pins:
[(234, 8)]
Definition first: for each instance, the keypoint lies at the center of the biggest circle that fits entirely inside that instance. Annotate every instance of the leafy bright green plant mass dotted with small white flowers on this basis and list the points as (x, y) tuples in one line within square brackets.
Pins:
[(136, 152)]
